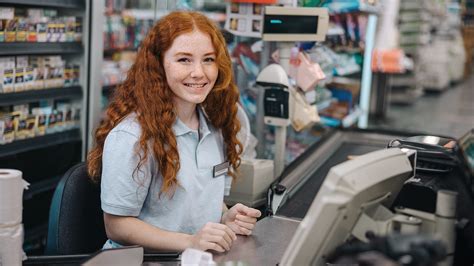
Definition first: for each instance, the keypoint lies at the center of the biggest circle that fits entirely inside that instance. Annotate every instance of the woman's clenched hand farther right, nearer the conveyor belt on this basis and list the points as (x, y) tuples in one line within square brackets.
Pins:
[(241, 219)]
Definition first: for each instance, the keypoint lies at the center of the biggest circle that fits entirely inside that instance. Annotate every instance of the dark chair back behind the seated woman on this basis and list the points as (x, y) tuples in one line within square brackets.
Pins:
[(76, 223)]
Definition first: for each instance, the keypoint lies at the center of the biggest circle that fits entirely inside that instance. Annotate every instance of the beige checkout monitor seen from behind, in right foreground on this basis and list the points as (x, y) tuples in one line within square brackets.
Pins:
[(349, 189)]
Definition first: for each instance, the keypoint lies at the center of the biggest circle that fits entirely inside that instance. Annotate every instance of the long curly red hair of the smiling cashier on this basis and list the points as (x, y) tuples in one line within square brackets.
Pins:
[(146, 93)]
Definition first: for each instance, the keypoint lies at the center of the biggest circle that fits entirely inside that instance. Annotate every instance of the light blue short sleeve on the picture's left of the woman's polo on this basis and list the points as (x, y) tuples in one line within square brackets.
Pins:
[(123, 190)]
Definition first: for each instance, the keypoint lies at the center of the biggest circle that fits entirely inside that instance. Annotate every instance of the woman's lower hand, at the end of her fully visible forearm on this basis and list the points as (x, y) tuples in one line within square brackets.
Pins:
[(213, 236)]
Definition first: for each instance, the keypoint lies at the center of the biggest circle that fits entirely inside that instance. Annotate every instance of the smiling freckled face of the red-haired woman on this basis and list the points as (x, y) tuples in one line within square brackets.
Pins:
[(191, 68)]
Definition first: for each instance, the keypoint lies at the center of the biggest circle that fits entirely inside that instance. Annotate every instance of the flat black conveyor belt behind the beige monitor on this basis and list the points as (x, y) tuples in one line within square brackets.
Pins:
[(298, 204)]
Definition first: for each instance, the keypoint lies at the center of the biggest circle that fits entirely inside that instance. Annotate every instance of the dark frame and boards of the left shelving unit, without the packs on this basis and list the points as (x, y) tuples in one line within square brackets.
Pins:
[(44, 159)]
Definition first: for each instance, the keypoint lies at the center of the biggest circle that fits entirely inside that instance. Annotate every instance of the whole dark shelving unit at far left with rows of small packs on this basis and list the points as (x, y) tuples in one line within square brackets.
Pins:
[(43, 72)]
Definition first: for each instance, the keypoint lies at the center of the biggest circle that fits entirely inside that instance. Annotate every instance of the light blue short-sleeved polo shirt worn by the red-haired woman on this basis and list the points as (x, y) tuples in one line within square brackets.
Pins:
[(198, 197)]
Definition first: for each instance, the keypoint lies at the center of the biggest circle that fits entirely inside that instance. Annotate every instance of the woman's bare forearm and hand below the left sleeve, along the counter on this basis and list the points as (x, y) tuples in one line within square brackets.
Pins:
[(132, 231)]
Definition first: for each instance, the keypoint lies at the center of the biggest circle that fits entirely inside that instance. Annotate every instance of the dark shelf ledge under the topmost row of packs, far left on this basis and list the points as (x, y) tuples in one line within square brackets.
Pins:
[(40, 48)]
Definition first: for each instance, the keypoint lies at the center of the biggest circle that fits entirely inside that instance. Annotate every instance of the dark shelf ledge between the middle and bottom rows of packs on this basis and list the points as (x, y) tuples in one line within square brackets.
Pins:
[(13, 98)]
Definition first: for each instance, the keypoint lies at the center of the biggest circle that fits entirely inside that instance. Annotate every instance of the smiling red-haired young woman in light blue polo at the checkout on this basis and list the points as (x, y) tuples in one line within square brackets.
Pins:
[(168, 144)]
